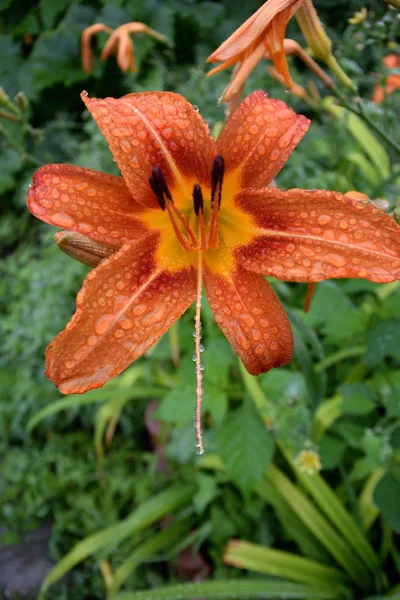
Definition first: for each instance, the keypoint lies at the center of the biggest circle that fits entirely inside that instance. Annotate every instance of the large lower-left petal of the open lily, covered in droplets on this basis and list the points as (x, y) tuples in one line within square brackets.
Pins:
[(124, 306)]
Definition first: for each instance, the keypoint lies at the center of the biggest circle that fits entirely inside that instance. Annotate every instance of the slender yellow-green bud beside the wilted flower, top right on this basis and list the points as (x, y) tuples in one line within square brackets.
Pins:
[(318, 41)]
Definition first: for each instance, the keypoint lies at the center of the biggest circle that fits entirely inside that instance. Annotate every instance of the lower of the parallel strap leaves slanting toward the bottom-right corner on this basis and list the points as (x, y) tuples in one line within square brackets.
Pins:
[(320, 527)]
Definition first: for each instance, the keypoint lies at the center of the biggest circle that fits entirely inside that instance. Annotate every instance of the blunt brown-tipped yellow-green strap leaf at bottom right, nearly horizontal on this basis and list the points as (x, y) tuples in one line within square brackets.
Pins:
[(278, 563)]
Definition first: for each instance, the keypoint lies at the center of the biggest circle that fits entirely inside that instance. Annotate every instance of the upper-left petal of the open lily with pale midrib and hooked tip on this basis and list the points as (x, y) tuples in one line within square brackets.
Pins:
[(151, 129)]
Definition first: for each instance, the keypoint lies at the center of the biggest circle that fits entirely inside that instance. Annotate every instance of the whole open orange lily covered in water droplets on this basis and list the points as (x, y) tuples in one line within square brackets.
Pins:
[(189, 210)]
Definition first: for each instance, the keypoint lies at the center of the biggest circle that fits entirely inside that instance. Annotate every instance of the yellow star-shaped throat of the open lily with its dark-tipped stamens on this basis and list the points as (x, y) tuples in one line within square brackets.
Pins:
[(202, 223)]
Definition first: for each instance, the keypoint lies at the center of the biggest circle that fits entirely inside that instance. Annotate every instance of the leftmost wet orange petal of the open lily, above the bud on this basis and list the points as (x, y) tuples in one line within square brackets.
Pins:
[(86, 201)]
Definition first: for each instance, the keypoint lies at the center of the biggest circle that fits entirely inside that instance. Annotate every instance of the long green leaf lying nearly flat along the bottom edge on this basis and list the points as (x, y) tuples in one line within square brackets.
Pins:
[(238, 588)]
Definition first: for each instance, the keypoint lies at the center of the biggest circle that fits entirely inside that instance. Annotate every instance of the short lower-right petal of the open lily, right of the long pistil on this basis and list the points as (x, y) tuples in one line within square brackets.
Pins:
[(252, 318)]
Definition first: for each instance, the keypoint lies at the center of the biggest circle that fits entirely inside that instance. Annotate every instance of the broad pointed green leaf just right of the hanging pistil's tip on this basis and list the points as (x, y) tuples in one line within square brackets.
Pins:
[(245, 446)]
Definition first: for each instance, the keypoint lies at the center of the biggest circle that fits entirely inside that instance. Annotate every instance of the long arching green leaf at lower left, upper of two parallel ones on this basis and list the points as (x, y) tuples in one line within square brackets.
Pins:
[(146, 514)]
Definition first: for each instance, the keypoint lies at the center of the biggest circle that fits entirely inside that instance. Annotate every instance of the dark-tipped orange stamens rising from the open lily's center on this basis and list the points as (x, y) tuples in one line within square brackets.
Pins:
[(205, 235)]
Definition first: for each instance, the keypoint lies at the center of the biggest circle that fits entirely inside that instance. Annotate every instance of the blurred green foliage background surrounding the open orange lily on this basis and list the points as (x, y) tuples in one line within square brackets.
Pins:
[(347, 347)]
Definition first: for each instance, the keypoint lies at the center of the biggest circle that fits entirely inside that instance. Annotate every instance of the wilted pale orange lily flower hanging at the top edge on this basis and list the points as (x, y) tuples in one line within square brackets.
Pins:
[(262, 33)]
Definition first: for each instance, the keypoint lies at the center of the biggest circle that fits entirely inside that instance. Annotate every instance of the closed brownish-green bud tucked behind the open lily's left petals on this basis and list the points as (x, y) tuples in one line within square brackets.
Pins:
[(83, 249)]
